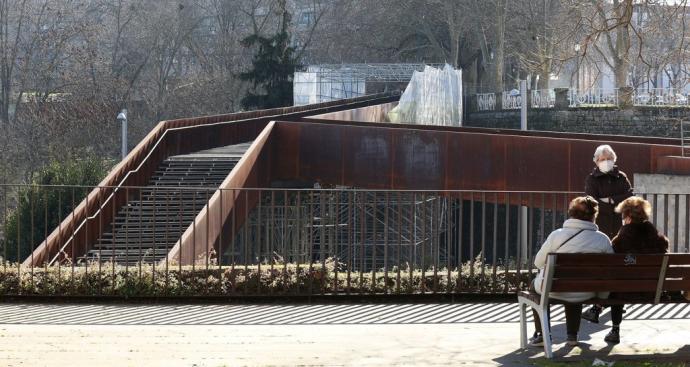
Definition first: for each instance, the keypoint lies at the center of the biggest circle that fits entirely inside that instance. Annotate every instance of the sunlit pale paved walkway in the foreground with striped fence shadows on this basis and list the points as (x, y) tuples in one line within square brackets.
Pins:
[(315, 335)]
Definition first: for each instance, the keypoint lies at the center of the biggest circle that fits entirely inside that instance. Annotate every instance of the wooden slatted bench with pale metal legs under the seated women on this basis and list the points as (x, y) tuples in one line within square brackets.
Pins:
[(662, 275)]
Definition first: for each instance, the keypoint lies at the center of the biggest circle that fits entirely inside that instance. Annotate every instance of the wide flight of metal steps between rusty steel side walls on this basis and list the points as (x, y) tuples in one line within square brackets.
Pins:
[(154, 218)]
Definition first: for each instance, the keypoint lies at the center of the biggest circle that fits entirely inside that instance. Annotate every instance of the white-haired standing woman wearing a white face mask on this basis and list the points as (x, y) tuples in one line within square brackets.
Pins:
[(610, 186)]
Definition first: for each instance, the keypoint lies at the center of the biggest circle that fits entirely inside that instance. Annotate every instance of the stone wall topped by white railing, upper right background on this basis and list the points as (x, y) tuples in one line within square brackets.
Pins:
[(637, 121)]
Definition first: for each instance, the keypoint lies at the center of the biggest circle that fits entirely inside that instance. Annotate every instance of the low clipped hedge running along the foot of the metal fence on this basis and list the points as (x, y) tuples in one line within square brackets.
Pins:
[(281, 279)]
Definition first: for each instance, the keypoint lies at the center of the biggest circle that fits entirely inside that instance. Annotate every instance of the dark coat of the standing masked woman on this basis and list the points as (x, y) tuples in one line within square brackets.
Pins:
[(614, 184)]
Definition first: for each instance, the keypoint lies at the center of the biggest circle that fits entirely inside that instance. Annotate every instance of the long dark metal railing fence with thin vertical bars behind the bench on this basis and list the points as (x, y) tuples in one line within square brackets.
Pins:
[(301, 242)]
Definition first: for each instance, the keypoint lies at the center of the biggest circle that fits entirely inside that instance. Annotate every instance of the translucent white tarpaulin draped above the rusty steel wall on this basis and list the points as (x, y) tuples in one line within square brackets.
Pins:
[(433, 97)]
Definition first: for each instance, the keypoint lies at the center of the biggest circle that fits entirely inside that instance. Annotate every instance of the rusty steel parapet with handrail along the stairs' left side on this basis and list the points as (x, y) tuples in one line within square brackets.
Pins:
[(137, 167)]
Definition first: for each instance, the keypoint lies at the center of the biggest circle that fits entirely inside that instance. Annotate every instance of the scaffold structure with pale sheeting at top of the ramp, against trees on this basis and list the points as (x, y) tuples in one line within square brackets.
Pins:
[(329, 82)]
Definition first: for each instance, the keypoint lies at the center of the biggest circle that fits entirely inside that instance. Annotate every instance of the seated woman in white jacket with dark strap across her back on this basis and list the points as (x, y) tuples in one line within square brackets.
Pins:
[(578, 235)]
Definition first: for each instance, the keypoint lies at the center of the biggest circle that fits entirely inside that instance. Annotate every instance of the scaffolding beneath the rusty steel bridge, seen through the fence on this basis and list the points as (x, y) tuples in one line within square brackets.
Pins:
[(362, 230)]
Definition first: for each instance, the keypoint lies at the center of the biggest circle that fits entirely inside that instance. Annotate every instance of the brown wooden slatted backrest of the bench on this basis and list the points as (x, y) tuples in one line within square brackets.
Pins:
[(620, 273)]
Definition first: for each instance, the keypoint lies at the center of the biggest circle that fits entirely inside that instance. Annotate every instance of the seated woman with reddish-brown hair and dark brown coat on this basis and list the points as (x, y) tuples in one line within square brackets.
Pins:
[(636, 236)]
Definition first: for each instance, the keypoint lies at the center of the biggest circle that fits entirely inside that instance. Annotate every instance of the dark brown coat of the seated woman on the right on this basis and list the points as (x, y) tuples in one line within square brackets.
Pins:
[(639, 238)]
